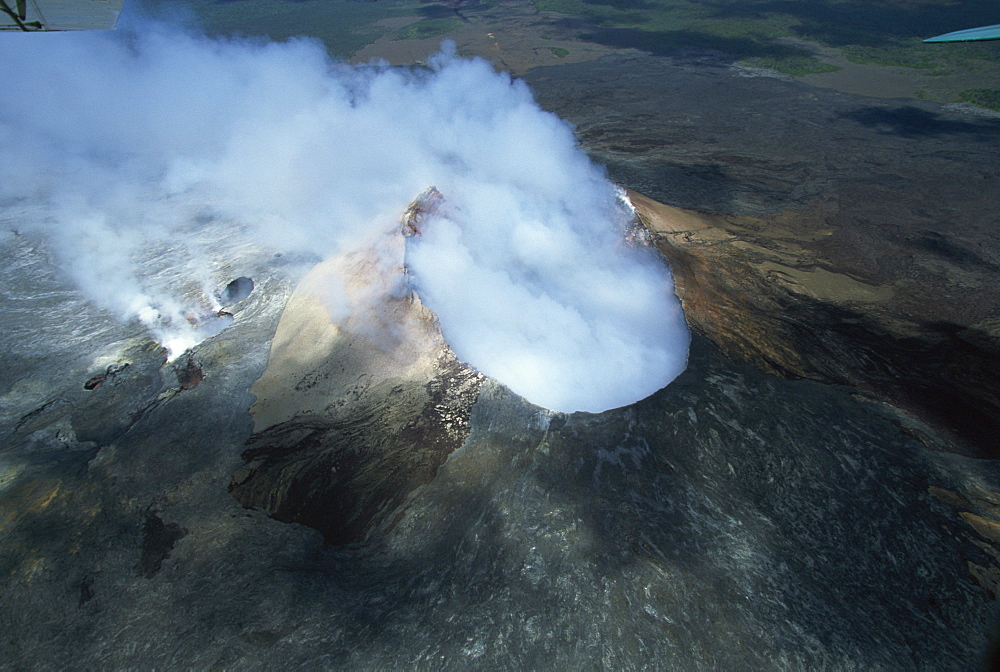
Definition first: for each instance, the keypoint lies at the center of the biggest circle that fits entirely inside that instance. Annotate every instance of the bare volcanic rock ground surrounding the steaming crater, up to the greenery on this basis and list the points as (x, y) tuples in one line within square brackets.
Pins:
[(736, 519)]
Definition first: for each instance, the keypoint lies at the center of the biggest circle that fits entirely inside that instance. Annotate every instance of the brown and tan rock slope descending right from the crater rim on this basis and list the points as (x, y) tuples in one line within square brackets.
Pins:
[(772, 301)]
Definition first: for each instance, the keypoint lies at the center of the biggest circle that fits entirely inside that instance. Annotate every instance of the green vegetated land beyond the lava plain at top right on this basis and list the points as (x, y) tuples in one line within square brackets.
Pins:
[(756, 32)]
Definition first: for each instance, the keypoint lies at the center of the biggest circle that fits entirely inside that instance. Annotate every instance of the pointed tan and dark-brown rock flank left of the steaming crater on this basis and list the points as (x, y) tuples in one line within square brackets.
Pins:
[(360, 404)]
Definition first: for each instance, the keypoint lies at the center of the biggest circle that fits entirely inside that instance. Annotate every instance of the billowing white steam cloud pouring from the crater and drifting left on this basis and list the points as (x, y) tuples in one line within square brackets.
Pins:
[(116, 146)]
